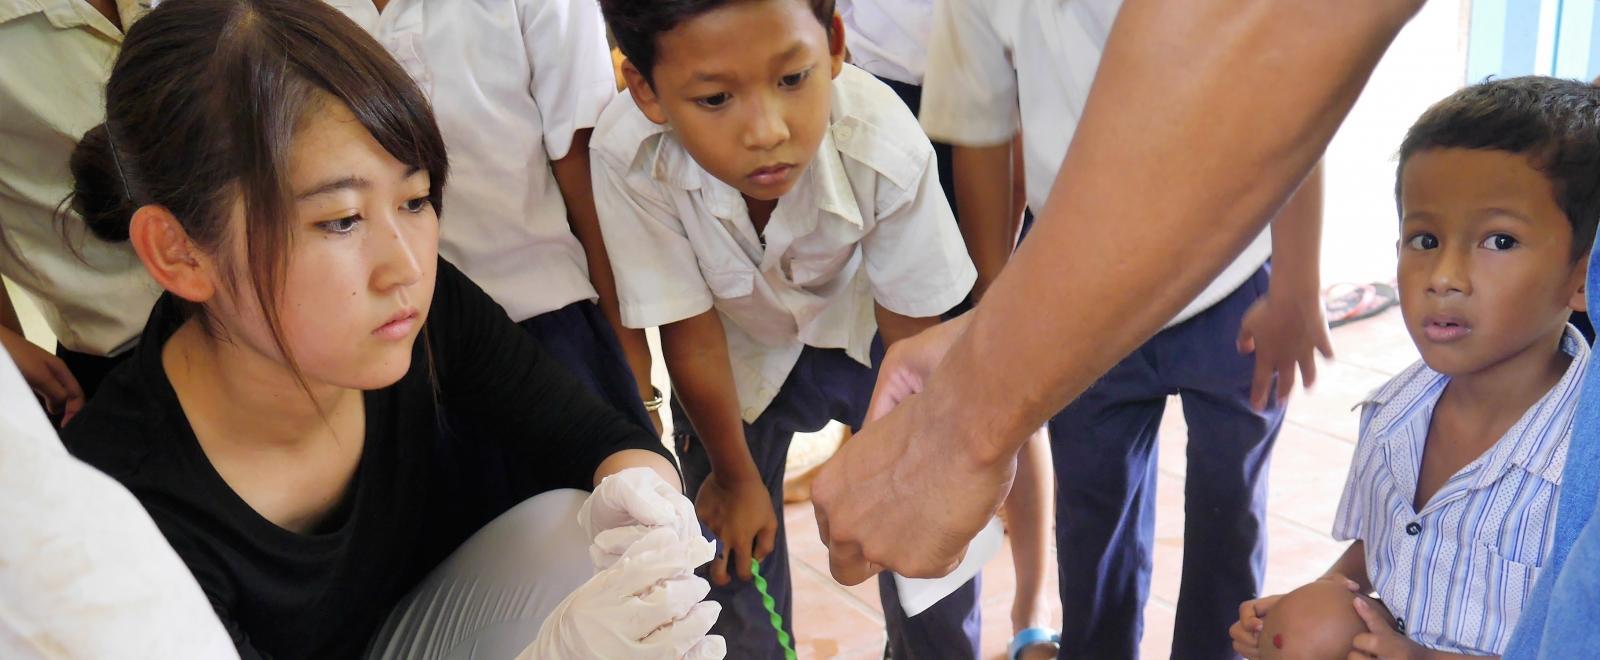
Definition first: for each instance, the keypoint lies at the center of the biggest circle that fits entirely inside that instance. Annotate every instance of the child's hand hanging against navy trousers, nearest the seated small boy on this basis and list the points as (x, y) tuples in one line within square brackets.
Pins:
[(1284, 331)]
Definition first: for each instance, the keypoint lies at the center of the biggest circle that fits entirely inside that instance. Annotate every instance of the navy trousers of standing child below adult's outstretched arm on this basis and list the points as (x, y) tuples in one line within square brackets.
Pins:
[(1105, 449)]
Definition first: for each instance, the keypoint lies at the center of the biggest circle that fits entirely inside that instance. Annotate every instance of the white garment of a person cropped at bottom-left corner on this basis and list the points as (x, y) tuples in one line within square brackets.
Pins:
[(84, 571)]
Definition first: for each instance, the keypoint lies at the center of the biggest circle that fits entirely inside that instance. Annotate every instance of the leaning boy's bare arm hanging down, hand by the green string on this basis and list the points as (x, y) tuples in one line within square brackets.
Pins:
[(734, 501)]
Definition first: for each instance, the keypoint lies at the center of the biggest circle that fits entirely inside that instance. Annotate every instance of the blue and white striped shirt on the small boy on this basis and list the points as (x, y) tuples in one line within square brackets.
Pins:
[(1458, 573)]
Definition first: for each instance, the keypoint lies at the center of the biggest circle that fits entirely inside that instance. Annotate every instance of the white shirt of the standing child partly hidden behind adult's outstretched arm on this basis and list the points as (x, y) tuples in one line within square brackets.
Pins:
[(991, 58)]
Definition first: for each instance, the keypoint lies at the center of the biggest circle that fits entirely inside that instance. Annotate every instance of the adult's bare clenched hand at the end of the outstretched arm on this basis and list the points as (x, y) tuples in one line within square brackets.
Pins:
[(908, 494)]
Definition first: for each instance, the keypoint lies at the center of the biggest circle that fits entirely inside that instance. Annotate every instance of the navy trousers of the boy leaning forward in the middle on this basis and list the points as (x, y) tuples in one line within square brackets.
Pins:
[(825, 385)]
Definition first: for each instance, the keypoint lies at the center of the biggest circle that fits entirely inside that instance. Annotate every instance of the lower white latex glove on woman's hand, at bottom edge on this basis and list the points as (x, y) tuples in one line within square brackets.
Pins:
[(647, 606)]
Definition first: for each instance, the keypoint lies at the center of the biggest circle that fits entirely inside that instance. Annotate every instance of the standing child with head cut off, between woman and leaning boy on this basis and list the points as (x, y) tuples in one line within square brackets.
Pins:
[(518, 111)]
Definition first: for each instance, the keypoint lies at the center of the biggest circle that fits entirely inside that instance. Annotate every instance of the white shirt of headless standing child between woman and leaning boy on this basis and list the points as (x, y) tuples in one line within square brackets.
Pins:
[(511, 82)]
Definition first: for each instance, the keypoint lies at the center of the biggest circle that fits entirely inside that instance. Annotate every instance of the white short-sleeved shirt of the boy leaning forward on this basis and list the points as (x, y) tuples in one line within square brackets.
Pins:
[(868, 222)]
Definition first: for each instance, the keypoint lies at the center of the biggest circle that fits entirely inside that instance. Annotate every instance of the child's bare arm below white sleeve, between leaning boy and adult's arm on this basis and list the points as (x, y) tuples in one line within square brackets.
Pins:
[(983, 201)]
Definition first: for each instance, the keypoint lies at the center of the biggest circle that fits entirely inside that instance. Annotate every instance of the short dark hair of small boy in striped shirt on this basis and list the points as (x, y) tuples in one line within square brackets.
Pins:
[(1553, 123)]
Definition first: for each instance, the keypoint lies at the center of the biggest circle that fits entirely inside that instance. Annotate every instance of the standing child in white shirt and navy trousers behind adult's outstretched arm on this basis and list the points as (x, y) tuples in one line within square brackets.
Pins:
[(991, 58)]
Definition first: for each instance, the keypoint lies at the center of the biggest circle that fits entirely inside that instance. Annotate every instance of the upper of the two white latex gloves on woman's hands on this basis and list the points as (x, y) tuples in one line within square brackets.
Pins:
[(626, 507)]
